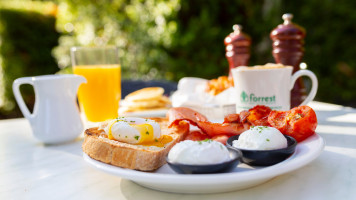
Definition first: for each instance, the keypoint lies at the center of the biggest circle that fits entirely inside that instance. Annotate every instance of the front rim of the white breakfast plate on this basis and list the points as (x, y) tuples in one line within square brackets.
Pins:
[(305, 153)]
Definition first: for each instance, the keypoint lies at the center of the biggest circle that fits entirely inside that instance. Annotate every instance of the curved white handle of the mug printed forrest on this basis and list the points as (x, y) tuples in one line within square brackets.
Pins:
[(311, 75)]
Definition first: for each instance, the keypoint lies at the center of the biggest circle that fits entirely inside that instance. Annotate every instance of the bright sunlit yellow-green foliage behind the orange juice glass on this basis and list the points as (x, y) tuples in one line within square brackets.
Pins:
[(142, 30)]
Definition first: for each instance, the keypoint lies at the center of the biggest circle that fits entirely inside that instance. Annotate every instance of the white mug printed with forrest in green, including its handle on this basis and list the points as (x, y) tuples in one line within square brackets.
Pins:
[(270, 86)]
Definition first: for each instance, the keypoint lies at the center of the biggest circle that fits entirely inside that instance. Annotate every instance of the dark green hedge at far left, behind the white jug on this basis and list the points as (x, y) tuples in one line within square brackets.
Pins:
[(27, 39)]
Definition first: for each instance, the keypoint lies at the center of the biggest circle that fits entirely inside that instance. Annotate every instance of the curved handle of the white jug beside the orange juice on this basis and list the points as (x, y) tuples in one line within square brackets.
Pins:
[(16, 89)]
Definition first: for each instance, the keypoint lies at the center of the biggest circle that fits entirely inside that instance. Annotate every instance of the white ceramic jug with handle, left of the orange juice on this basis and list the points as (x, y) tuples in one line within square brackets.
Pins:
[(55, 118)]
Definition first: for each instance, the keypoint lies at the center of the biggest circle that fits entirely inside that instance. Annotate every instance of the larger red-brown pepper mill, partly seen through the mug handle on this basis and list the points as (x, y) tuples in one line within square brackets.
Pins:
[(288, 49)]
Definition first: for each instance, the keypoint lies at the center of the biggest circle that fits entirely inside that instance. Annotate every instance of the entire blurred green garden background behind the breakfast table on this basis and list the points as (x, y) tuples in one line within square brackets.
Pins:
[(171, 39)]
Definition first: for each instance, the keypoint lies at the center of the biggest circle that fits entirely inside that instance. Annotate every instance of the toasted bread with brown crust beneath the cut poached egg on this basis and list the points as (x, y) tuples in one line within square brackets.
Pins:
[(138, 157)]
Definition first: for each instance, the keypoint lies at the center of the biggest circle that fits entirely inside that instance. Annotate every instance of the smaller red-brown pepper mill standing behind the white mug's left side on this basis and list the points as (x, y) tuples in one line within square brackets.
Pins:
[(237, 48)]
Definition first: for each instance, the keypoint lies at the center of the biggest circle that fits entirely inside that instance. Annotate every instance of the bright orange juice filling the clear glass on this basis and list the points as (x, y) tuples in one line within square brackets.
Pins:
[(99, 97)]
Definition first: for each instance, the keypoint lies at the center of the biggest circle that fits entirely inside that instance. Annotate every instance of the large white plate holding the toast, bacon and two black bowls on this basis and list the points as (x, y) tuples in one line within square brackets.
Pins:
[(244, 176)]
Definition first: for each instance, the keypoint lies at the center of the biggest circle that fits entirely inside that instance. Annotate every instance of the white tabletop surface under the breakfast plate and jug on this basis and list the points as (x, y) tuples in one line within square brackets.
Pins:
[(31, 170)]
